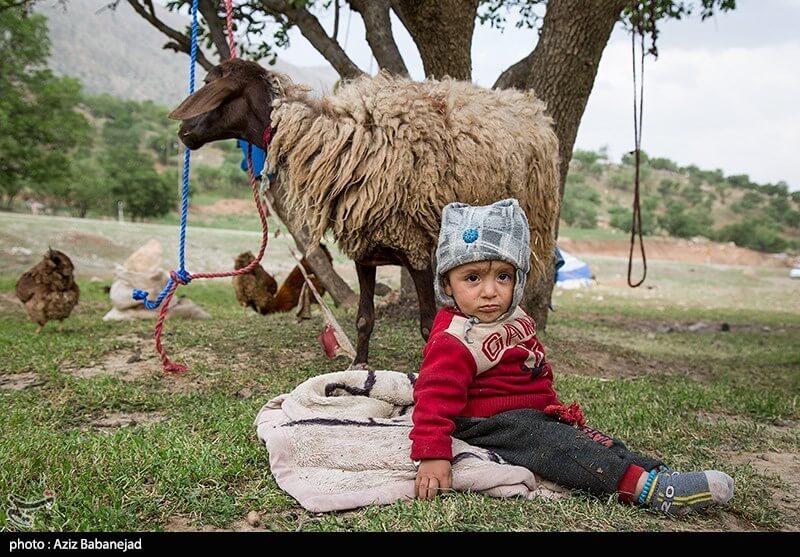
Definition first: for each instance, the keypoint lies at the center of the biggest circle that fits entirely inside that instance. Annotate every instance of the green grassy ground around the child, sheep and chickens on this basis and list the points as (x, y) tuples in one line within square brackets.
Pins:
[(696, 399)]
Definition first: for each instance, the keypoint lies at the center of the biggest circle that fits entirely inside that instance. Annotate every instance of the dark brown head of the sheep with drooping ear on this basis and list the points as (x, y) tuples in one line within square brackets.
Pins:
[(234, 103)]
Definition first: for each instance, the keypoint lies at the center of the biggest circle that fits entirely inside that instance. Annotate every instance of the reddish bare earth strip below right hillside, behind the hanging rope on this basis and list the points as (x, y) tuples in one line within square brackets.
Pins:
[(675, 249)]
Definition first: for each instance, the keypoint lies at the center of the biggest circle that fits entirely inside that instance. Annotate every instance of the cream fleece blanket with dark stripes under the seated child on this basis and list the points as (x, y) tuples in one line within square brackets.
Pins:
[(340, 441)]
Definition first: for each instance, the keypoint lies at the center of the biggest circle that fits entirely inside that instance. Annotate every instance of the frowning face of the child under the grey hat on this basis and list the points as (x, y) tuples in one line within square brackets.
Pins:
[(483, 289)]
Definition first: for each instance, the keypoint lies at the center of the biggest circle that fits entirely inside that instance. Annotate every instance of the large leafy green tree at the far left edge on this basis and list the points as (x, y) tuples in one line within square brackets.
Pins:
[(39, 126)]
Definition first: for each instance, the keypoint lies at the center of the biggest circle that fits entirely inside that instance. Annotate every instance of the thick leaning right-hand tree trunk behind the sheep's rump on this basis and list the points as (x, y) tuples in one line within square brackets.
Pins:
[(562, 73)]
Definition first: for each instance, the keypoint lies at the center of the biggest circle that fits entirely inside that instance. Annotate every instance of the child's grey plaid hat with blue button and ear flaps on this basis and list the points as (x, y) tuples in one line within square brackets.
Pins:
[(496, 231)]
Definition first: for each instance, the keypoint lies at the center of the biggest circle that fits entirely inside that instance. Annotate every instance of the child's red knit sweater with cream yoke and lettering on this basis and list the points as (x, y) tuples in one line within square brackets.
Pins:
[(503, 368)]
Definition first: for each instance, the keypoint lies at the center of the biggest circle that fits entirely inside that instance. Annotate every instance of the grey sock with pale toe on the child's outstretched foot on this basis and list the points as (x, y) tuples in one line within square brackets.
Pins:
[(683, 492)]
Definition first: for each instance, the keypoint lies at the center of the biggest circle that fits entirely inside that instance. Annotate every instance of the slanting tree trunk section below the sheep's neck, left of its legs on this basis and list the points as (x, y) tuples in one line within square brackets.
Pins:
[(342, 294)]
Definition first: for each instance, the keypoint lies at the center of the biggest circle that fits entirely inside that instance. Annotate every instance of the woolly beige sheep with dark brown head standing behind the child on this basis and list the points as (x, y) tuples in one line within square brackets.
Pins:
[(377, 161)]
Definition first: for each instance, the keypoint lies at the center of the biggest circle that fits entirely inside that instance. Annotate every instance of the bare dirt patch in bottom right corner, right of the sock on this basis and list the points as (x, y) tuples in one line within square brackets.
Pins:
[(785, 466)]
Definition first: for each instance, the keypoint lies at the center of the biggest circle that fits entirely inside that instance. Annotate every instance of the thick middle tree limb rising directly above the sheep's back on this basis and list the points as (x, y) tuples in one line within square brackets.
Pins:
[(442, 31)]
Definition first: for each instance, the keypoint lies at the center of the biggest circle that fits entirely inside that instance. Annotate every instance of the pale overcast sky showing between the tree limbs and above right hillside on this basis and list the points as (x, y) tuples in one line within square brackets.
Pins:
[(722, 94)]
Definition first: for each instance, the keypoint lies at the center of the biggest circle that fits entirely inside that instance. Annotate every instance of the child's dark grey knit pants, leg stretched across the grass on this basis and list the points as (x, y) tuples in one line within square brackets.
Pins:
[(568, 455)]
